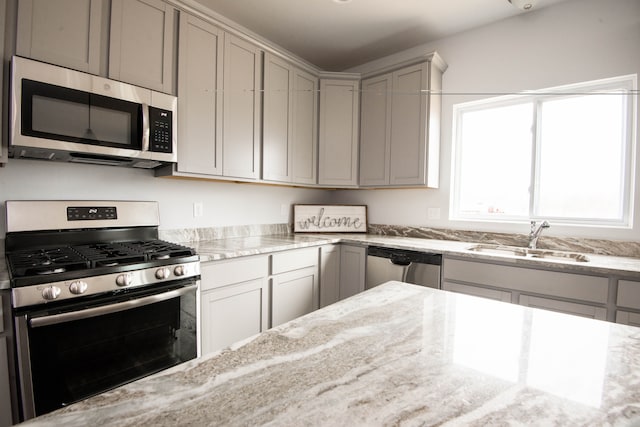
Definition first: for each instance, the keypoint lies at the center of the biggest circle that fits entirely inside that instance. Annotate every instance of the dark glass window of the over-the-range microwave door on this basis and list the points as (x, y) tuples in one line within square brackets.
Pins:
[(55, 112)]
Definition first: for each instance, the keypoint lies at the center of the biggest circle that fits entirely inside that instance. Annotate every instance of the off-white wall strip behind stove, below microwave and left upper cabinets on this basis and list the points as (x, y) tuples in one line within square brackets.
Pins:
[(223, 203)]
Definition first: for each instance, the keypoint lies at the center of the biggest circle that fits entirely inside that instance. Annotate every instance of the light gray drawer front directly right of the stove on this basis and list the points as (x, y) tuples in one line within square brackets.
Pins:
[(223, 273)]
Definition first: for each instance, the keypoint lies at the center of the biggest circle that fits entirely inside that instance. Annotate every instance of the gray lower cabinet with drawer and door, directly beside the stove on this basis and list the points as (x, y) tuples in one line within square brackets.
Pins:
[(234, 301)]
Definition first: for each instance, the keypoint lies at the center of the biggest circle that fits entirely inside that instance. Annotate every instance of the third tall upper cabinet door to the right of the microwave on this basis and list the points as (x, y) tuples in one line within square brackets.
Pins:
[(277, 127)]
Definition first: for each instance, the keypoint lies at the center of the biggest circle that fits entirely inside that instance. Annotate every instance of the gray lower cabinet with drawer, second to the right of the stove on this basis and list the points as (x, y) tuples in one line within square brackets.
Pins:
[(295, 286)]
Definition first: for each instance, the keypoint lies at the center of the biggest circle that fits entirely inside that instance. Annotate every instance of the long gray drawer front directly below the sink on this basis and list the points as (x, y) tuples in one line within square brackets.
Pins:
[(564, 285)]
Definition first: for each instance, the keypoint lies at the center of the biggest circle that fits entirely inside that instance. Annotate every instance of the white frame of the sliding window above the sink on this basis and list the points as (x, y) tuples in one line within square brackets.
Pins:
[(626, 82)]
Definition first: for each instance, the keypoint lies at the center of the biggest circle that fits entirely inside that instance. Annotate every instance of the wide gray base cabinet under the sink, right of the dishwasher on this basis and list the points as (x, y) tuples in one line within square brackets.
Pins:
[(571, 293)]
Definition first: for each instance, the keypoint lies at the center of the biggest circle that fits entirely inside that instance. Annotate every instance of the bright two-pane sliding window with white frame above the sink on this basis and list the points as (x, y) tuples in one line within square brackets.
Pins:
[(563, 154)]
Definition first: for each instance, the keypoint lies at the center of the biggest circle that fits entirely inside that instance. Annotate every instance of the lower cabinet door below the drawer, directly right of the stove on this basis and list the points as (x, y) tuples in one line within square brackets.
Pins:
[(232, 313)]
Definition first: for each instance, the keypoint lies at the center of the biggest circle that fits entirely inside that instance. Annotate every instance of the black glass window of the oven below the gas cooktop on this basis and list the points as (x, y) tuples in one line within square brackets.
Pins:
[(74, 360)]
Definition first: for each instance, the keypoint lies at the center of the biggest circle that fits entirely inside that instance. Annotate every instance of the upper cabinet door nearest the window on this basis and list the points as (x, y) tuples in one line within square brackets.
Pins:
[(408, 133)]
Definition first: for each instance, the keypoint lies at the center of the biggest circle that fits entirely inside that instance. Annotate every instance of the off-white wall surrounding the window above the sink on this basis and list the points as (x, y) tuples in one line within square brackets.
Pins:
[(576, 41)]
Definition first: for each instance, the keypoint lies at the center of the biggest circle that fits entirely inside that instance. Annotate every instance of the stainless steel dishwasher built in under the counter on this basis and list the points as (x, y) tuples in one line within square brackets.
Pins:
[(419, 268)]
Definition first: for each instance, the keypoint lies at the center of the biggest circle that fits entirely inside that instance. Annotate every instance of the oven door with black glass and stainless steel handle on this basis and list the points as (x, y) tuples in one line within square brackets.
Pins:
[(68, 354)]
